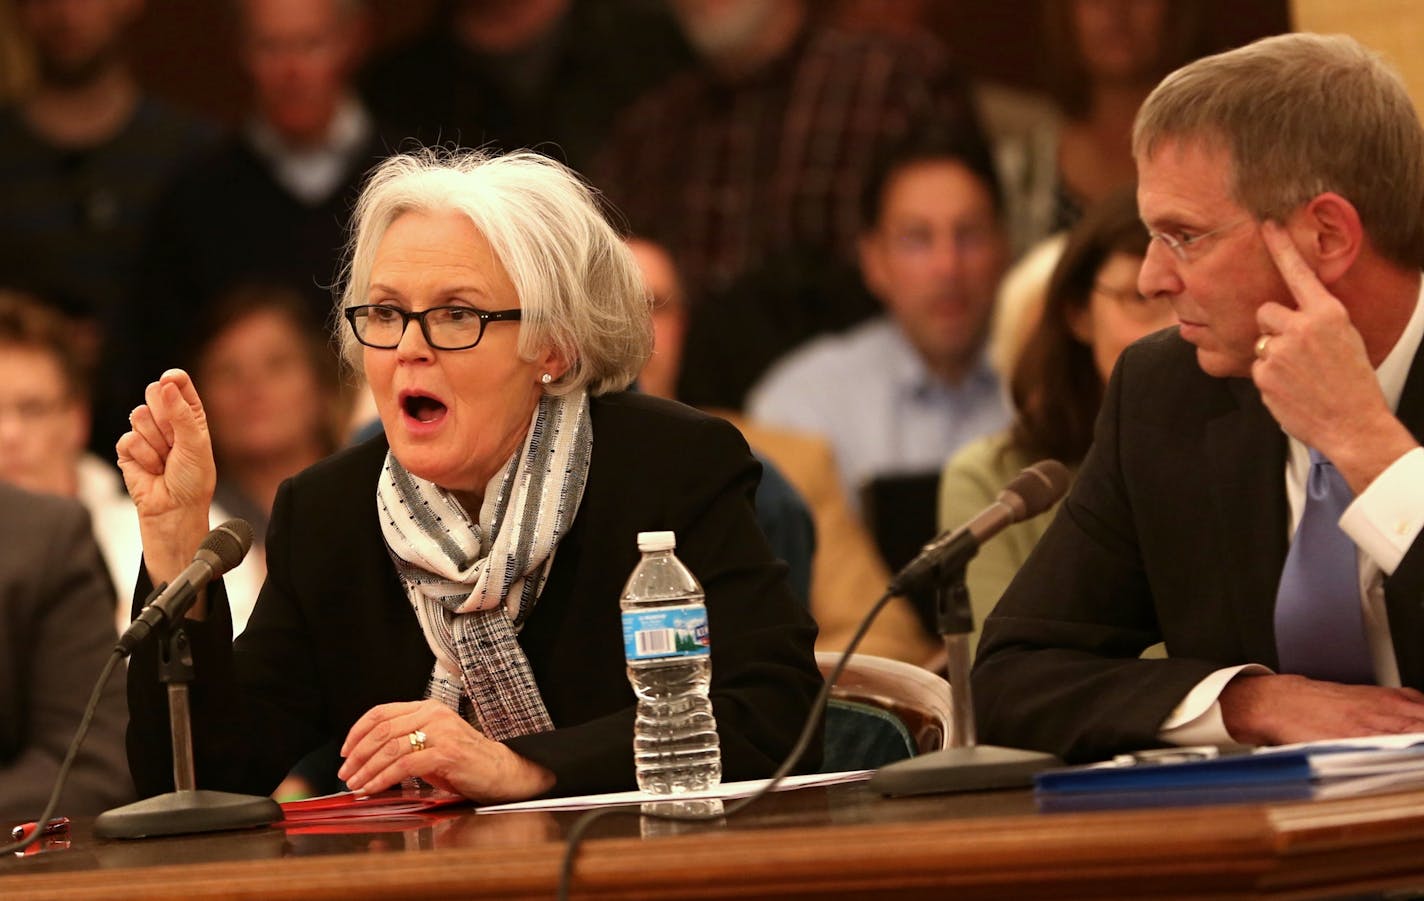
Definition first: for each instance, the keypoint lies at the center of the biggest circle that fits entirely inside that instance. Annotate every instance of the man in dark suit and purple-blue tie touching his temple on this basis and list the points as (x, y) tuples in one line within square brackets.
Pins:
[(1284, 186)]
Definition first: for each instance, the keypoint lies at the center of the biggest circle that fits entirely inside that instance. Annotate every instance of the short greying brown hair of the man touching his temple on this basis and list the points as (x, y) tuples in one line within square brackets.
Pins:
[(1304, 115)]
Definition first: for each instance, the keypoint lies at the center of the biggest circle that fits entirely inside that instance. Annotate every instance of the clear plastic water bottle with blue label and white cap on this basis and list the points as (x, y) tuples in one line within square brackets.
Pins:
[(670, 667)]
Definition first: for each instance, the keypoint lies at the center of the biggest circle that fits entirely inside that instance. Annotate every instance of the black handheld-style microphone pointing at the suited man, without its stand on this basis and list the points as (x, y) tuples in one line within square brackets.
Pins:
[(1029, 495)]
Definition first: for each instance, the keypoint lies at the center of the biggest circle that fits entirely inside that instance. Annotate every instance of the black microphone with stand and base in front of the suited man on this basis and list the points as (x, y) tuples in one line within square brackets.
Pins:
[(965, 765)]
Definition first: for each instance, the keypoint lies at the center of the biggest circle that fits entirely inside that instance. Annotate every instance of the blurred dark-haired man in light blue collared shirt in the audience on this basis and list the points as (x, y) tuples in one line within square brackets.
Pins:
[(902, 392)]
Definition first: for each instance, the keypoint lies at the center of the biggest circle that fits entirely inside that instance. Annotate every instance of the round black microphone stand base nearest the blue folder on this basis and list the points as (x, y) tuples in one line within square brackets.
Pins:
[(963, 769)]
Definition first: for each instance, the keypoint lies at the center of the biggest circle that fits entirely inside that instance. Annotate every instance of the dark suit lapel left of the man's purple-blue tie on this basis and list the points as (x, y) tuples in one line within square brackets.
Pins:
[(1247, 462)]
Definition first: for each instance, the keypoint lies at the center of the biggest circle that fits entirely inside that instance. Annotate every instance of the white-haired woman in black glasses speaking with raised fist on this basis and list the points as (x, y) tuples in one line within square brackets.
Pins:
[(444, 599)]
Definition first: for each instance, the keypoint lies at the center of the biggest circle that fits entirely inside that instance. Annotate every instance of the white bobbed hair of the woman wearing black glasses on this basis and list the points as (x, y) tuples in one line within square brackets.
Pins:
[(577, 283)]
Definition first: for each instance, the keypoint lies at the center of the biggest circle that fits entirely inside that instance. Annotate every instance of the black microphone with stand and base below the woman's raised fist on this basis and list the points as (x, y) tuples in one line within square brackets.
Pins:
[(186, 809)]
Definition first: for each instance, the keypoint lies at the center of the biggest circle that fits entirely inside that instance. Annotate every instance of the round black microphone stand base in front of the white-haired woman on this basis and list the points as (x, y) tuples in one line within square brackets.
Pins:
[(180, 813)]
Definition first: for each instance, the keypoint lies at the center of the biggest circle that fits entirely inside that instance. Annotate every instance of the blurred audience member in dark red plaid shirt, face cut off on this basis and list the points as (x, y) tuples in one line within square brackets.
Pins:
[(763, 150)]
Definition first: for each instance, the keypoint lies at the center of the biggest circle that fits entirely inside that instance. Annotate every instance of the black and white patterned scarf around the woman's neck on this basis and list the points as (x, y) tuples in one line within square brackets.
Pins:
[(473, 584)]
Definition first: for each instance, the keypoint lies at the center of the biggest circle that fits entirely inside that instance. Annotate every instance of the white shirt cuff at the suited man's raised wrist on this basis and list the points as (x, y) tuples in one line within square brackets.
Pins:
[(1388, 516)]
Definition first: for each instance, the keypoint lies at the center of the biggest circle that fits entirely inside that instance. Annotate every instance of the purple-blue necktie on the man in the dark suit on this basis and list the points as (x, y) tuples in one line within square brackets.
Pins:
[(1319, 623)]
